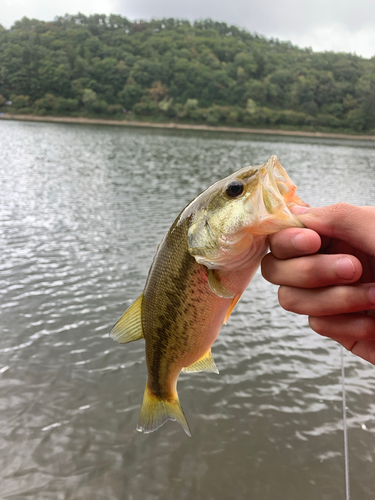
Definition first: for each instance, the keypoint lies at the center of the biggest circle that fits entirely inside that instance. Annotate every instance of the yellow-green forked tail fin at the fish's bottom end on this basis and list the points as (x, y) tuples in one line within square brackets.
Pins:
[(157, 410)]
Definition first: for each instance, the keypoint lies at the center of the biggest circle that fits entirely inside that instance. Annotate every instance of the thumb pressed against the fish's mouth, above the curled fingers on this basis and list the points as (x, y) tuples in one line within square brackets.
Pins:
[(355, 225)]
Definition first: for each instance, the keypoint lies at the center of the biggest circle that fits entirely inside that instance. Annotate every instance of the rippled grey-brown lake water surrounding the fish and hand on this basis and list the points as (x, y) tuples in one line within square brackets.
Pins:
[(82, 210)]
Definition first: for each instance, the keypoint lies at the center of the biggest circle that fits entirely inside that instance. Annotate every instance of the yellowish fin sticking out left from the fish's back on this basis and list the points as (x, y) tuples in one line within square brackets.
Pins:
[(129, 327)]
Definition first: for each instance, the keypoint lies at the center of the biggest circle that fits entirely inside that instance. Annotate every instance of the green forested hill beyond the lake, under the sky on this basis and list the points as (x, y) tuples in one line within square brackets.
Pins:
[(172, 70)]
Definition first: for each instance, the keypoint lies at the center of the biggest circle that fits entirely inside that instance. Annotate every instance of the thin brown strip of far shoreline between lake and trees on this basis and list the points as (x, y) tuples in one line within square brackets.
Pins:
[(181, 126)]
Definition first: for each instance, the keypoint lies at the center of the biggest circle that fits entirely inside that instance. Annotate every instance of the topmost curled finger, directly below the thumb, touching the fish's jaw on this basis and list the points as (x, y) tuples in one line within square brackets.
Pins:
[(294, 242)]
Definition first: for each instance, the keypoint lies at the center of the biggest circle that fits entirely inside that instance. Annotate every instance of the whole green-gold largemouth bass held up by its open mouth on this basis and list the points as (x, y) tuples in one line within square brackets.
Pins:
[(200, 270)]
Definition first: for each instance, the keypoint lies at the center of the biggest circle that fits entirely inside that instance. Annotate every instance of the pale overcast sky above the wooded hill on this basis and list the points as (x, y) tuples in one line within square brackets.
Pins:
[(338, 25)]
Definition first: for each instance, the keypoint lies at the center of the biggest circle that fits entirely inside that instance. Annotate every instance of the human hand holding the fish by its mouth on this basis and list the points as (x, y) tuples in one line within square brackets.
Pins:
[(327, 271)]
